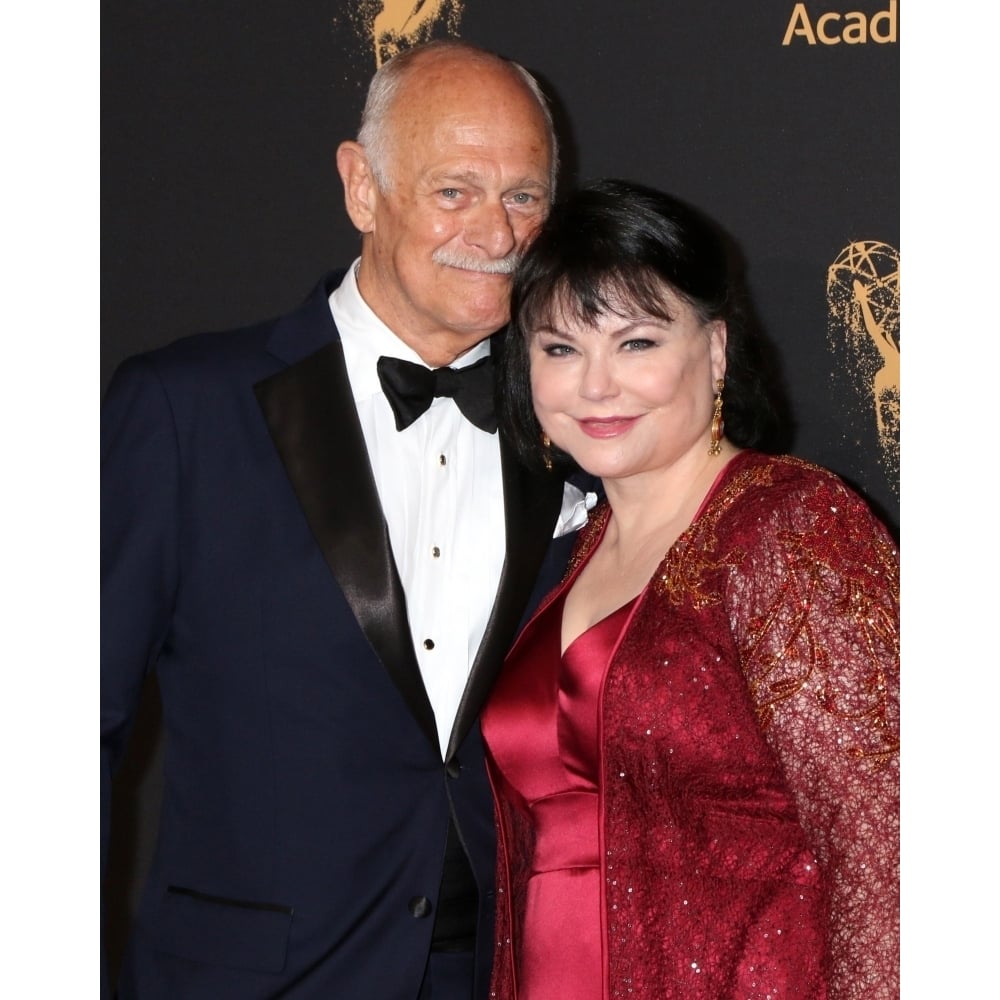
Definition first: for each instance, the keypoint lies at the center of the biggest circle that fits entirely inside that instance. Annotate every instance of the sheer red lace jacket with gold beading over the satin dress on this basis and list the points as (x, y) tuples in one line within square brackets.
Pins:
[(749, 747)]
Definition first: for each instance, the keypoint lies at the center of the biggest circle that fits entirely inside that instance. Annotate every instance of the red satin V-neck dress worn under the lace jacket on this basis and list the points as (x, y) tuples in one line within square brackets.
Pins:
[(543, 735)]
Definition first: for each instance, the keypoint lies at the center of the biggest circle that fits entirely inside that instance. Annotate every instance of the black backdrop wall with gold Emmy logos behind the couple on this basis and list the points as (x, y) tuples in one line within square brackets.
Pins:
[(221, 204)]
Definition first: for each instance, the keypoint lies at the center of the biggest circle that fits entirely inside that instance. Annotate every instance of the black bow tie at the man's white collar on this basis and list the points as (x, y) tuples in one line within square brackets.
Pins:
[(410, 389)]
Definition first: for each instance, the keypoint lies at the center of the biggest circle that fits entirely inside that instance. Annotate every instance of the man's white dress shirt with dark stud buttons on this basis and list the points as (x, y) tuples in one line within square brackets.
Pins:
[(441, 489)]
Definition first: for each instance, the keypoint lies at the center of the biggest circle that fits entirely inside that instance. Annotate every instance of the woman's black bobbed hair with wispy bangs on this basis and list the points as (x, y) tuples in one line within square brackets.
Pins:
[(612, 247)]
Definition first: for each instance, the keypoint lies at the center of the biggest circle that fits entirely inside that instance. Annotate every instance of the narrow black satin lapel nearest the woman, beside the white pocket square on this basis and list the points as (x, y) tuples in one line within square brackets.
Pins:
[(531, 507)]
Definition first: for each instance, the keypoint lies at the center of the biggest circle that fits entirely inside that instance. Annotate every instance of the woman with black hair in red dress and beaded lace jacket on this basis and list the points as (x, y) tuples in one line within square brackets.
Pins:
[(693, 744)]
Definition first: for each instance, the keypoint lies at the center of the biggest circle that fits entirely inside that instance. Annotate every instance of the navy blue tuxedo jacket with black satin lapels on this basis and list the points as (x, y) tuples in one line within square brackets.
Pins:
[(245, 557)]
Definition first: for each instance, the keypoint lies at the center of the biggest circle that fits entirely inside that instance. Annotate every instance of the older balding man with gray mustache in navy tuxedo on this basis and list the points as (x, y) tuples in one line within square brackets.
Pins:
[(314, 534)]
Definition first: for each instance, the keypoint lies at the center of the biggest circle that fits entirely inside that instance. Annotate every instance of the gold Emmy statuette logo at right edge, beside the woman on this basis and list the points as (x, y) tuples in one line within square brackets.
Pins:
[(862, 292)]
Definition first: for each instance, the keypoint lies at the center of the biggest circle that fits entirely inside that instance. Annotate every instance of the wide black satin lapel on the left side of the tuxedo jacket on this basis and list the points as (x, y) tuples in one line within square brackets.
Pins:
[(311, 417)]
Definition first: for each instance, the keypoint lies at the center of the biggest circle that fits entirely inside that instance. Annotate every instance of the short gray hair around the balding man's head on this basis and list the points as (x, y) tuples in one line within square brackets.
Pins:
[(375, 132)]
